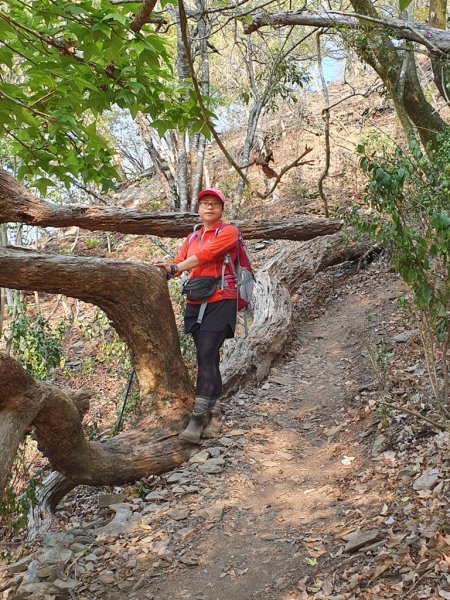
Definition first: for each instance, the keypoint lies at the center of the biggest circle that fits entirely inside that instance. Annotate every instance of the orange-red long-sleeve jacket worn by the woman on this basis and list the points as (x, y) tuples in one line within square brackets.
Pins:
[(210, 248)]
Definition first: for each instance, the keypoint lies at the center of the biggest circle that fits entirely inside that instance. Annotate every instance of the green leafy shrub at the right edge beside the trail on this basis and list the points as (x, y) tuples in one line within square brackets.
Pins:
[(408, 196)]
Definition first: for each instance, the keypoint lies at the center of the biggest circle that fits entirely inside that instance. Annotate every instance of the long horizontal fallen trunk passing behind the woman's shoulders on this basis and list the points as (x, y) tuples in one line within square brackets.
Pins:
[(20, 206)]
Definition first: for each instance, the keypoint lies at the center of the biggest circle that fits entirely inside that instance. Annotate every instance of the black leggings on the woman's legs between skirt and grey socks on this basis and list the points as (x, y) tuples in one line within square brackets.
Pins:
[(208, 344)]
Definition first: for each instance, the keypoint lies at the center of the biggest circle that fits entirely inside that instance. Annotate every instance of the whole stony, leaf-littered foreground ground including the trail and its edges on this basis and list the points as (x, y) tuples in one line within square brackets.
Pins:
[(313, 490)]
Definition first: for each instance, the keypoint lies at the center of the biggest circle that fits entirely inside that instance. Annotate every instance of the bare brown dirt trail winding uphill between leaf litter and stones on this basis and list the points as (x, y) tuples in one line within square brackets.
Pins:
[(279, 501)]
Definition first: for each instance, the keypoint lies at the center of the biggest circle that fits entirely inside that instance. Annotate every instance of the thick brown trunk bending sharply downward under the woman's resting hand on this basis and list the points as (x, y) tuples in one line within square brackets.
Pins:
[(133, 295)]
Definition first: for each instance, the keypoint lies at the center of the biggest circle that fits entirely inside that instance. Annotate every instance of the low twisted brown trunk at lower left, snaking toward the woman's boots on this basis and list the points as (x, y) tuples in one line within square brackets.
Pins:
[(57, 425)]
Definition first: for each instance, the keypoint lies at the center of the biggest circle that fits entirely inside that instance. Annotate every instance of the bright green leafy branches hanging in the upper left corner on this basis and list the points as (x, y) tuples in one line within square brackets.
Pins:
[(63, 66)]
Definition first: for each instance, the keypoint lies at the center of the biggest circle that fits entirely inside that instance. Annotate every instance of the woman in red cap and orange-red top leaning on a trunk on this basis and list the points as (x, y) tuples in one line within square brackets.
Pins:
[(203, 254)]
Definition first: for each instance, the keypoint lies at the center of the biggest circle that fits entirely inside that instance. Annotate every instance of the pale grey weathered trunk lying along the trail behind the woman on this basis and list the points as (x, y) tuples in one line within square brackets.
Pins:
[(249, 359)]
